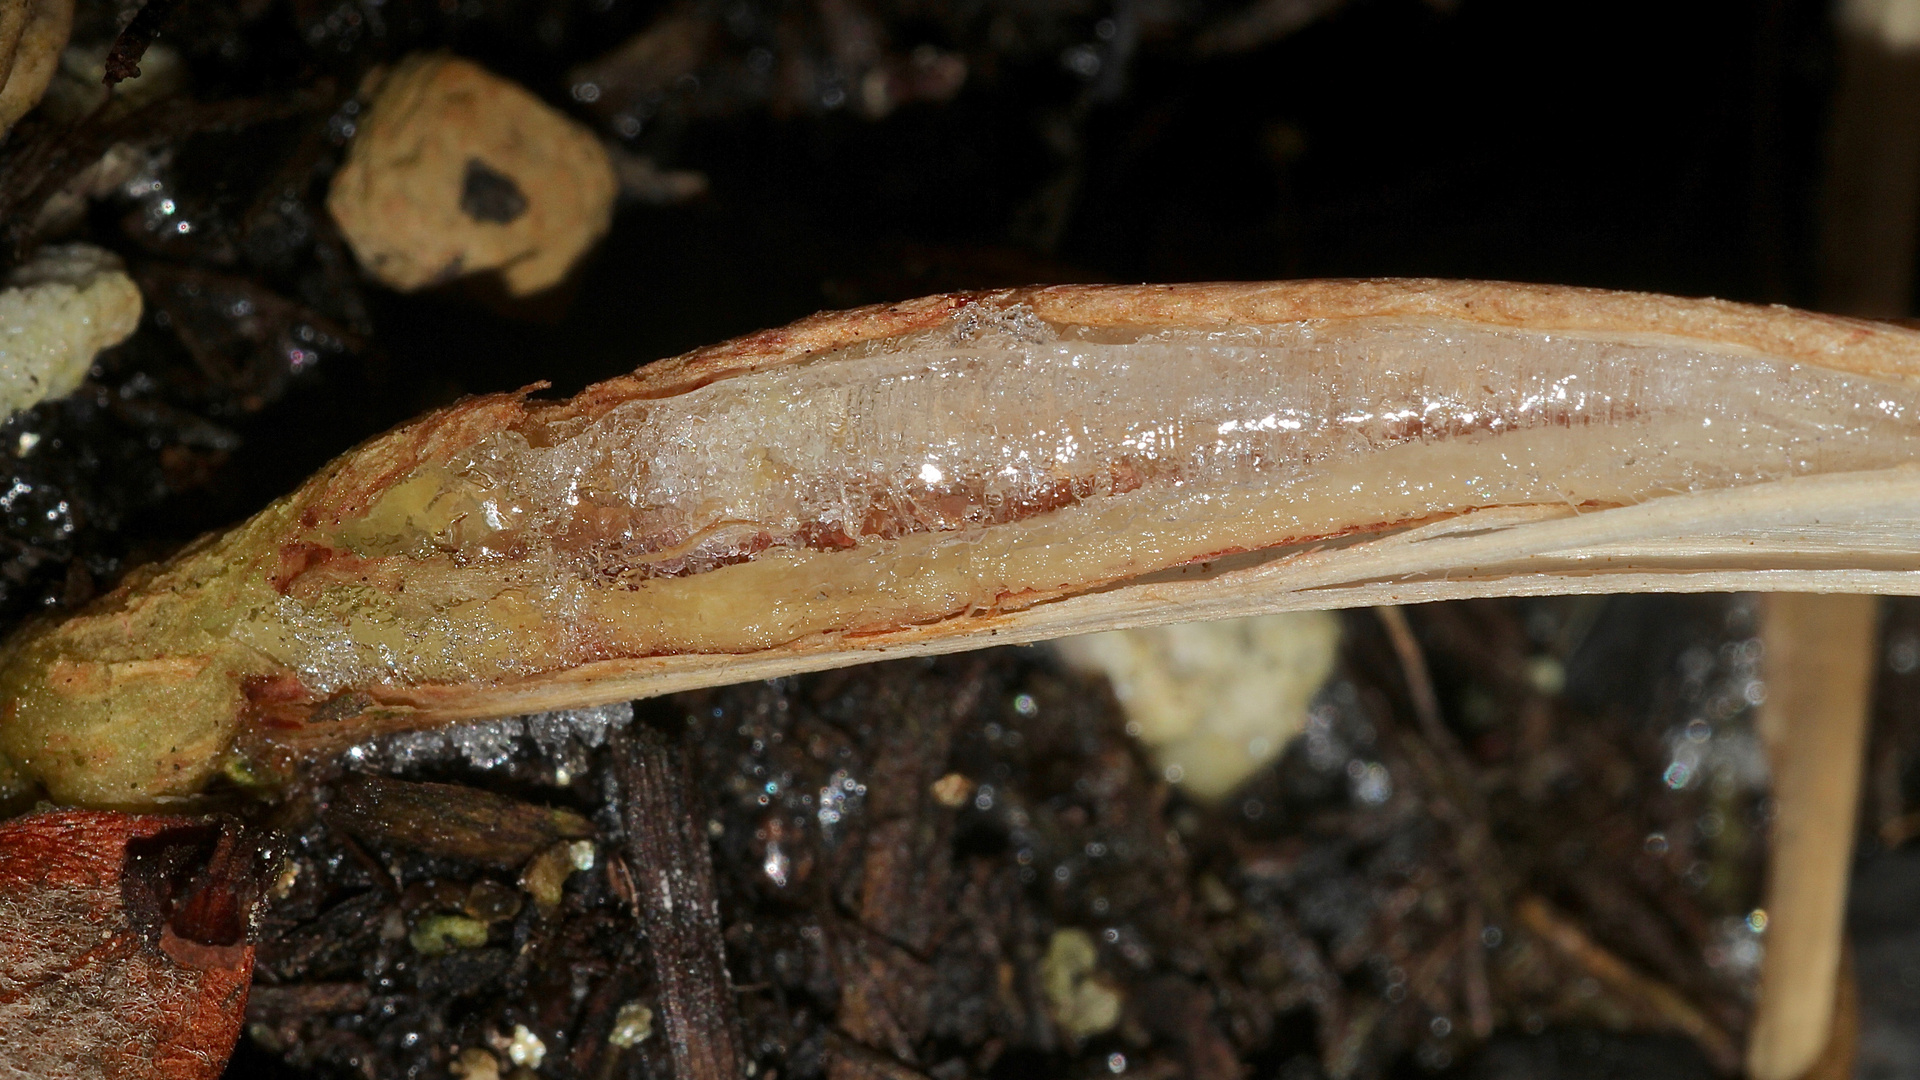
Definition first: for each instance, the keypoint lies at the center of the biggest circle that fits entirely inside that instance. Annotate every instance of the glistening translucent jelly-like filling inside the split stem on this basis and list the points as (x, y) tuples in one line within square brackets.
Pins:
[(936, 435)]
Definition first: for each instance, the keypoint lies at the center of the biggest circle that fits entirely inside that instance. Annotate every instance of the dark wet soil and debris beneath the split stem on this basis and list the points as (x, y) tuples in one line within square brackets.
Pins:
[(898, 848)]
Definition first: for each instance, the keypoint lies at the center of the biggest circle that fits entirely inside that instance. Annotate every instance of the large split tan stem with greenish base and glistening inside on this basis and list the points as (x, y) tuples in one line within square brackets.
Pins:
[(982, 470)]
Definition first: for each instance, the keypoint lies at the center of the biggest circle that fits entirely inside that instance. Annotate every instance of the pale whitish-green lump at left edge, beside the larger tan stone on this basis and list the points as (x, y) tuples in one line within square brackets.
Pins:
[(57, 314)]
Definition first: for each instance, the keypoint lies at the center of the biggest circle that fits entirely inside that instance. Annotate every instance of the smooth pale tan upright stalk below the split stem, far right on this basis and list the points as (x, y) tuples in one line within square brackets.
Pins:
[(1819, 691)]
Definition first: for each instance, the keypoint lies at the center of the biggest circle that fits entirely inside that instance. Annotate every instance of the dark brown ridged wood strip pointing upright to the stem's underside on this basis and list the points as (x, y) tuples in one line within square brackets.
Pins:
[(677, 906)]
